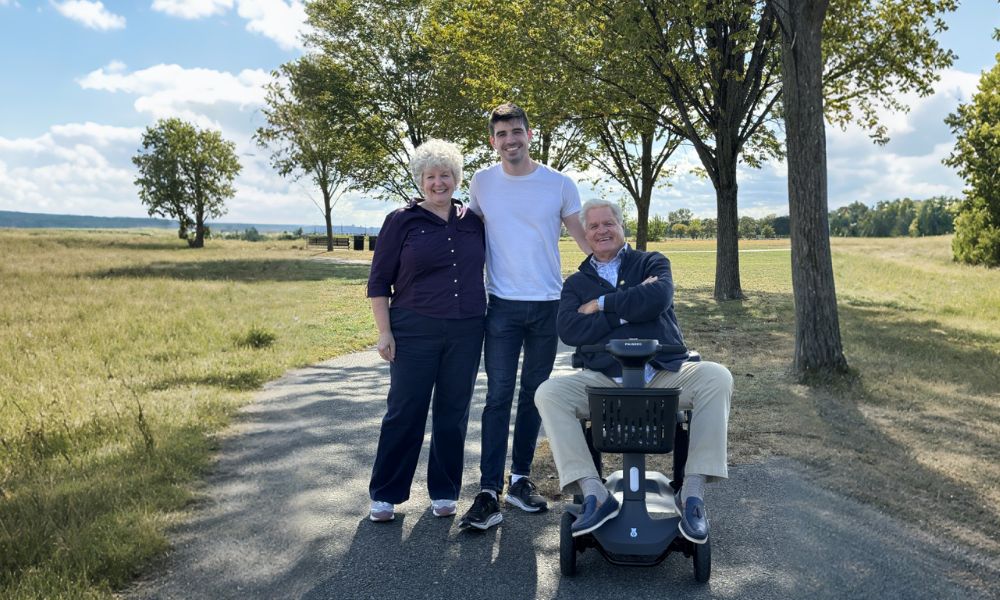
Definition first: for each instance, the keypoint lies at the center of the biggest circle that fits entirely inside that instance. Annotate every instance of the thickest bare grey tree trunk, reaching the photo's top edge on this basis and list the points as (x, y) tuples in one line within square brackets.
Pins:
[(818, 347)]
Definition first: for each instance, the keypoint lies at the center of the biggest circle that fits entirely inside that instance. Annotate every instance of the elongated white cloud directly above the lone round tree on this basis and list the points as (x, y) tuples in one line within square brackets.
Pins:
[(174, 91)]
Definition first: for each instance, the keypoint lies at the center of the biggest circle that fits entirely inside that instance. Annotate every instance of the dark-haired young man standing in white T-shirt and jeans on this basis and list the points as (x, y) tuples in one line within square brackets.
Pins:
[(523, 204)]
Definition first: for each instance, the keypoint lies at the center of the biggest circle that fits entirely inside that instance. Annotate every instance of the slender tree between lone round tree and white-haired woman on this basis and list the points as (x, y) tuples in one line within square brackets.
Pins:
[(312, 119)]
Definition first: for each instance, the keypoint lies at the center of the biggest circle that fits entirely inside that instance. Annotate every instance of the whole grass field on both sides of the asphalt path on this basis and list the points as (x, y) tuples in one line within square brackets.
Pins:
[(124, 353)]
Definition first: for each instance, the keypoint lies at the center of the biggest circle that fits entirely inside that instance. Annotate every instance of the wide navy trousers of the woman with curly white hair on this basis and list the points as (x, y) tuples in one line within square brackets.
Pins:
[(436, 360)]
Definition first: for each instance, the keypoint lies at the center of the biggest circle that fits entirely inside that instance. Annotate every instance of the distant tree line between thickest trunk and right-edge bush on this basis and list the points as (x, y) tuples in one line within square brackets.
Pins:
[(895, 218)]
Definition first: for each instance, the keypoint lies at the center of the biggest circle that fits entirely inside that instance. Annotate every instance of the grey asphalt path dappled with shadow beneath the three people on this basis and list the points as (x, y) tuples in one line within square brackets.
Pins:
[(284, 515)]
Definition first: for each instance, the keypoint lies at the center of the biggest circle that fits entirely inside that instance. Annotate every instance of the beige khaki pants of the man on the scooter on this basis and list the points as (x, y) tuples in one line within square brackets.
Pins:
[(706, 389)]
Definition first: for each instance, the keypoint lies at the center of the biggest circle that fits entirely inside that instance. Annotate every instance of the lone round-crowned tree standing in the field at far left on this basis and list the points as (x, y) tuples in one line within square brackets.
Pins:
[(187, 174)]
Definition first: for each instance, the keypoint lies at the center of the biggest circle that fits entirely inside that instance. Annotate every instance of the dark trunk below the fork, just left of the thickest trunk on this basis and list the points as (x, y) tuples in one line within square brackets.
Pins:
[(727, 258)]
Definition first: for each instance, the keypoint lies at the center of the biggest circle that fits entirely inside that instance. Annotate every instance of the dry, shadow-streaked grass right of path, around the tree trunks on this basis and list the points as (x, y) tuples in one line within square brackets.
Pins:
[(915, 430)]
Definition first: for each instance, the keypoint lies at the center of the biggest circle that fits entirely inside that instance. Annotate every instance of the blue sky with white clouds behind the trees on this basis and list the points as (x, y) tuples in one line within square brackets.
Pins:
[(83, 78)]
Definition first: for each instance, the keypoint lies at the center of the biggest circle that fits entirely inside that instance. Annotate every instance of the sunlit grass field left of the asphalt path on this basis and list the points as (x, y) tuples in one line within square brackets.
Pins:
[(123, 353)]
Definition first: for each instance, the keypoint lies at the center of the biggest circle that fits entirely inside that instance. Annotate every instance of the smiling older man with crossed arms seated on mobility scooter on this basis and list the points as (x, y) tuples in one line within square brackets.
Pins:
[(623, 293)]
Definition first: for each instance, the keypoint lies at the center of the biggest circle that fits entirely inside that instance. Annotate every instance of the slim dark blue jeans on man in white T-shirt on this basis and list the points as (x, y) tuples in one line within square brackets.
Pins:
[(511, 324)]
